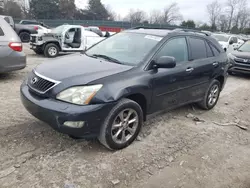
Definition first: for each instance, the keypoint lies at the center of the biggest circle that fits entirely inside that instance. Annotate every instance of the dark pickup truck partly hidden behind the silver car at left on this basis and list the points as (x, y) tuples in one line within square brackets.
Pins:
[(23, 31)]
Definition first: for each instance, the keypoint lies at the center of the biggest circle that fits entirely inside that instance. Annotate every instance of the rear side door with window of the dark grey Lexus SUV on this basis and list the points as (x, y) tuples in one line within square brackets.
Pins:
[(204, 64)]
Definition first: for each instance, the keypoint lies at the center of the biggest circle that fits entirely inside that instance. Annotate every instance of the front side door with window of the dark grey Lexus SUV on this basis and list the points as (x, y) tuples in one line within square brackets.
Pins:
[(171, 86)]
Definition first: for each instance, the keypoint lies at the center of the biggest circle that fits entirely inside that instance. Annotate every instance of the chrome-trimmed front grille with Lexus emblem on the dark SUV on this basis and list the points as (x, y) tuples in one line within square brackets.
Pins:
[(40, 84)]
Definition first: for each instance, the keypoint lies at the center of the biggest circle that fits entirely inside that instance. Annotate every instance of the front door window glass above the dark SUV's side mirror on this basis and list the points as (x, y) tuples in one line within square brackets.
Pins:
[(176, 48)]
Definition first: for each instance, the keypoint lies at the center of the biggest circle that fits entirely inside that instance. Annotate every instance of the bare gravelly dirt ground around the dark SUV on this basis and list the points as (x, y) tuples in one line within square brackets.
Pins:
[(172, 151)]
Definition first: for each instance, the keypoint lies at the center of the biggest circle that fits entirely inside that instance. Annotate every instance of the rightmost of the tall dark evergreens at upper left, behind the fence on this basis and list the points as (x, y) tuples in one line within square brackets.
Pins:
[(98, 9)]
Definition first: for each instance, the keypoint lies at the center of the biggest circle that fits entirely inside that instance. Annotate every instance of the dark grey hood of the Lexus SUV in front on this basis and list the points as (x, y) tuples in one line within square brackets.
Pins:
[(79, 68)]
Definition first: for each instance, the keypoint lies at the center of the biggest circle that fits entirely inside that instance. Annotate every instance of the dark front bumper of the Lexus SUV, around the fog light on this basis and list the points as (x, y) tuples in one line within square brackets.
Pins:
[(55, 113)]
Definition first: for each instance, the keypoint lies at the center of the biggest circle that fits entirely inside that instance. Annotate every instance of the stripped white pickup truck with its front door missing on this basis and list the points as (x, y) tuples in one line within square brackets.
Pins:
[(65, 38)]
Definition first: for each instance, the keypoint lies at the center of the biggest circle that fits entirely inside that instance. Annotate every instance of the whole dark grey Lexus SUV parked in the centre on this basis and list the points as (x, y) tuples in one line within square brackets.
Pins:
[(108, 91)]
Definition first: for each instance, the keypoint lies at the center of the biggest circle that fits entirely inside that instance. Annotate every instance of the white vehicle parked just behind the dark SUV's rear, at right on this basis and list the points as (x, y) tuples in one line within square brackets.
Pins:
[(228, 42)]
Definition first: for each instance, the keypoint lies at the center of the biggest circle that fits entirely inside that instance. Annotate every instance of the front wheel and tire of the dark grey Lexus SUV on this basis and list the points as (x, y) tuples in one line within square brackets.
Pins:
[(122, 125)]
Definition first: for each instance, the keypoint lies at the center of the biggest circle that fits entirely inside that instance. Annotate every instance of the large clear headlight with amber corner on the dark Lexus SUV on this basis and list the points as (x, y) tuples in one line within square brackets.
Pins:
[(81, 95)]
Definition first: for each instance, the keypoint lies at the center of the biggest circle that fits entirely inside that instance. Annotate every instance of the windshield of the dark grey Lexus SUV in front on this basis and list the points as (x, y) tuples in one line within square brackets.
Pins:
[(126, 48)]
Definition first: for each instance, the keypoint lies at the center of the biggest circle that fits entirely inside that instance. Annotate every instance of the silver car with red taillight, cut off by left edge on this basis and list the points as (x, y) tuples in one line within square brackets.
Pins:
[(11, 49)]
